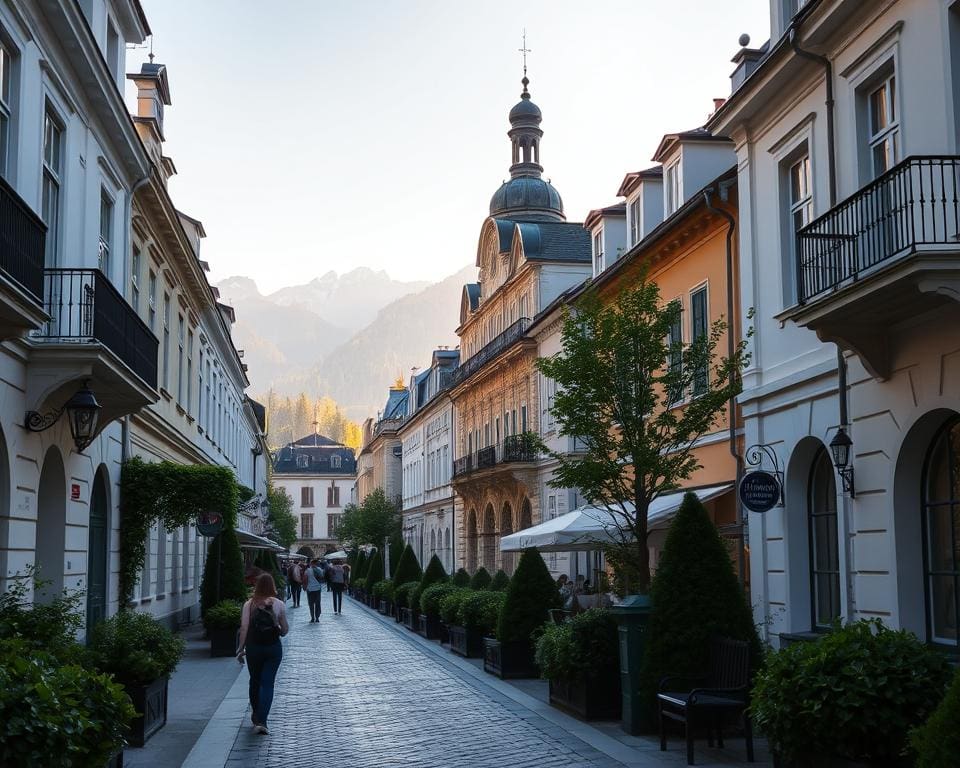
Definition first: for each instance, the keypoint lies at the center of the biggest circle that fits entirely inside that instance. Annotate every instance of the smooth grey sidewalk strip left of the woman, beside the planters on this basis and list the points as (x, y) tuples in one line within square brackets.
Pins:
[(196, 691)]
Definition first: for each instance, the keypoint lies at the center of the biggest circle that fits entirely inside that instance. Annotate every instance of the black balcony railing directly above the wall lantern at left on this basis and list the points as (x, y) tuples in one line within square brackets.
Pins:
[(84, 307)]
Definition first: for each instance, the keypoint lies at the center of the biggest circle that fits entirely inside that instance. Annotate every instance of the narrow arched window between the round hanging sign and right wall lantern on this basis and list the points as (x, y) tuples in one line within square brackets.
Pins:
[(824, 550)]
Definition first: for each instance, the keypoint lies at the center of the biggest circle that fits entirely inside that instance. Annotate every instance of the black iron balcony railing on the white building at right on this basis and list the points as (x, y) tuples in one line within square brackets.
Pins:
[(913, 206)]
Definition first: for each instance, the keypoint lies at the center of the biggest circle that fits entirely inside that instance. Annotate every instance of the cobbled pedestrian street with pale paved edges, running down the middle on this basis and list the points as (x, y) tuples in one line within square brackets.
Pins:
[(359, 690)]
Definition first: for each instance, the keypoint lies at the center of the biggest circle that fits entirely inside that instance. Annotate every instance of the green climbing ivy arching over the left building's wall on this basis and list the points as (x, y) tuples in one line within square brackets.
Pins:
[(172, 495)]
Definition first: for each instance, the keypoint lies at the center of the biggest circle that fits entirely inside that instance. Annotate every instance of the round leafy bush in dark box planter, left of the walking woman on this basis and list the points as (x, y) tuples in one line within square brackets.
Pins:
[(141, 654)]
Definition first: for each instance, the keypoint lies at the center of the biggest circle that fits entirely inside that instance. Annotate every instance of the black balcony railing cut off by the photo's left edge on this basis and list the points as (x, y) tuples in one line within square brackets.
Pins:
[(22, 236)]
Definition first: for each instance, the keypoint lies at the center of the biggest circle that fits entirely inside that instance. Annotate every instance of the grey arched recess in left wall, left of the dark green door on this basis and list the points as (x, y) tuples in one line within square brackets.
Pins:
[(51, 525)]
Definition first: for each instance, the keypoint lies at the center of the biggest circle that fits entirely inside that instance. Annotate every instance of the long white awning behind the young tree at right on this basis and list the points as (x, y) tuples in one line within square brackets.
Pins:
[(588, 528)]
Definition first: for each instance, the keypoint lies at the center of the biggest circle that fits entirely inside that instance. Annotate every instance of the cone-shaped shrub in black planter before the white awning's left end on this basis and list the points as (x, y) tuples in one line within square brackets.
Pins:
[(529, 598)]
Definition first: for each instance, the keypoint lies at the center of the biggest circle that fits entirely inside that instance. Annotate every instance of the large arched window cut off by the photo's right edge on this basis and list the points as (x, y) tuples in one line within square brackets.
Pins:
[(941, 536)]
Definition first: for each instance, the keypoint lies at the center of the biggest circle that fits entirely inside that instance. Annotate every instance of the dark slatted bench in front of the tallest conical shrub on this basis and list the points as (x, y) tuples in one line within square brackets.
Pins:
[(709, 699)]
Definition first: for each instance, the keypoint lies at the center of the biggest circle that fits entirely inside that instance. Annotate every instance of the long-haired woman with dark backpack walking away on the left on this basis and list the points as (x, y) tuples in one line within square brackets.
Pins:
[(263, 623)]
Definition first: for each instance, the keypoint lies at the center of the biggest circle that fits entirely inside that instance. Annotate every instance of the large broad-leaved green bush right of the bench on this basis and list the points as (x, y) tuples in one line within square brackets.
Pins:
[(853, 694)]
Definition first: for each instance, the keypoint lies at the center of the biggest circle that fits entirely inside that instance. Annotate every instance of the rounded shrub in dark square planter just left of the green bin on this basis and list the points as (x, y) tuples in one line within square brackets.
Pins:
[(580, 658)]
